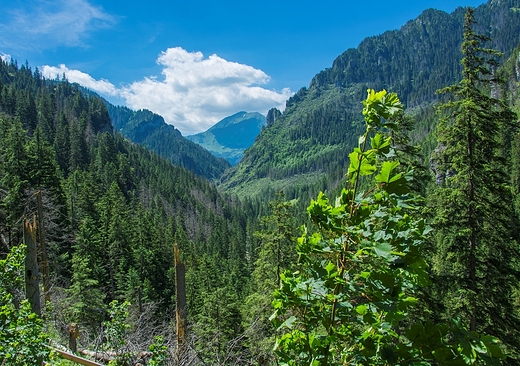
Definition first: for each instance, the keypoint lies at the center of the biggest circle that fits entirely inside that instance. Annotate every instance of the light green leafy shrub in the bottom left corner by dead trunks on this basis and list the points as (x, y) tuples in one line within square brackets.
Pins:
[(22, 341)]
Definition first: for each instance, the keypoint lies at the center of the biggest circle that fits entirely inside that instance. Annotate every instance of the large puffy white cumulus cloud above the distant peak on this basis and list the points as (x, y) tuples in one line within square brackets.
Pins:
[(197, 92)]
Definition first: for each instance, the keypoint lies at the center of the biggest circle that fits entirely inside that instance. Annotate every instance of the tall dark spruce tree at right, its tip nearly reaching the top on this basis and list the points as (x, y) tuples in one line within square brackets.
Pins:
[(476, 249)]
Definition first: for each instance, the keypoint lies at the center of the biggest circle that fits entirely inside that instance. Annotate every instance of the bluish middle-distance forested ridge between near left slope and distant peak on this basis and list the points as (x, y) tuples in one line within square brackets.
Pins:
[(149, 129)]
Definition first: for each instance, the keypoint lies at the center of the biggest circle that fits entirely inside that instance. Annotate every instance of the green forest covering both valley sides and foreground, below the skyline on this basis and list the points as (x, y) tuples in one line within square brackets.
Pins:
[(361, 228)]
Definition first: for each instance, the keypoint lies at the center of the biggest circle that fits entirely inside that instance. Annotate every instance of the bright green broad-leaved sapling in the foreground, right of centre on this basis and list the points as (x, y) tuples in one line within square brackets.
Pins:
[(360, 272)]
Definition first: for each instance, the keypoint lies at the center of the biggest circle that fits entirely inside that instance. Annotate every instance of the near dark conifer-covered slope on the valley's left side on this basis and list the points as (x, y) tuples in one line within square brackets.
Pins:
[(113, 212)]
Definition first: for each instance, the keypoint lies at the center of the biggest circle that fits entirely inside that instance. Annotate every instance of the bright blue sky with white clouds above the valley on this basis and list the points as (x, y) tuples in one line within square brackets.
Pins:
[(195, 62)]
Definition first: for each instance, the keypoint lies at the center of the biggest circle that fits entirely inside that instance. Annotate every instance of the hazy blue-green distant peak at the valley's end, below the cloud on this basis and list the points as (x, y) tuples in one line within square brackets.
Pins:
[(231, 136)]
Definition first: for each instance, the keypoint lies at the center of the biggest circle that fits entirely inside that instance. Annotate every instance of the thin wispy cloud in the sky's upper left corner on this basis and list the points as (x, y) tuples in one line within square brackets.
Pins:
[(45, 23)]
